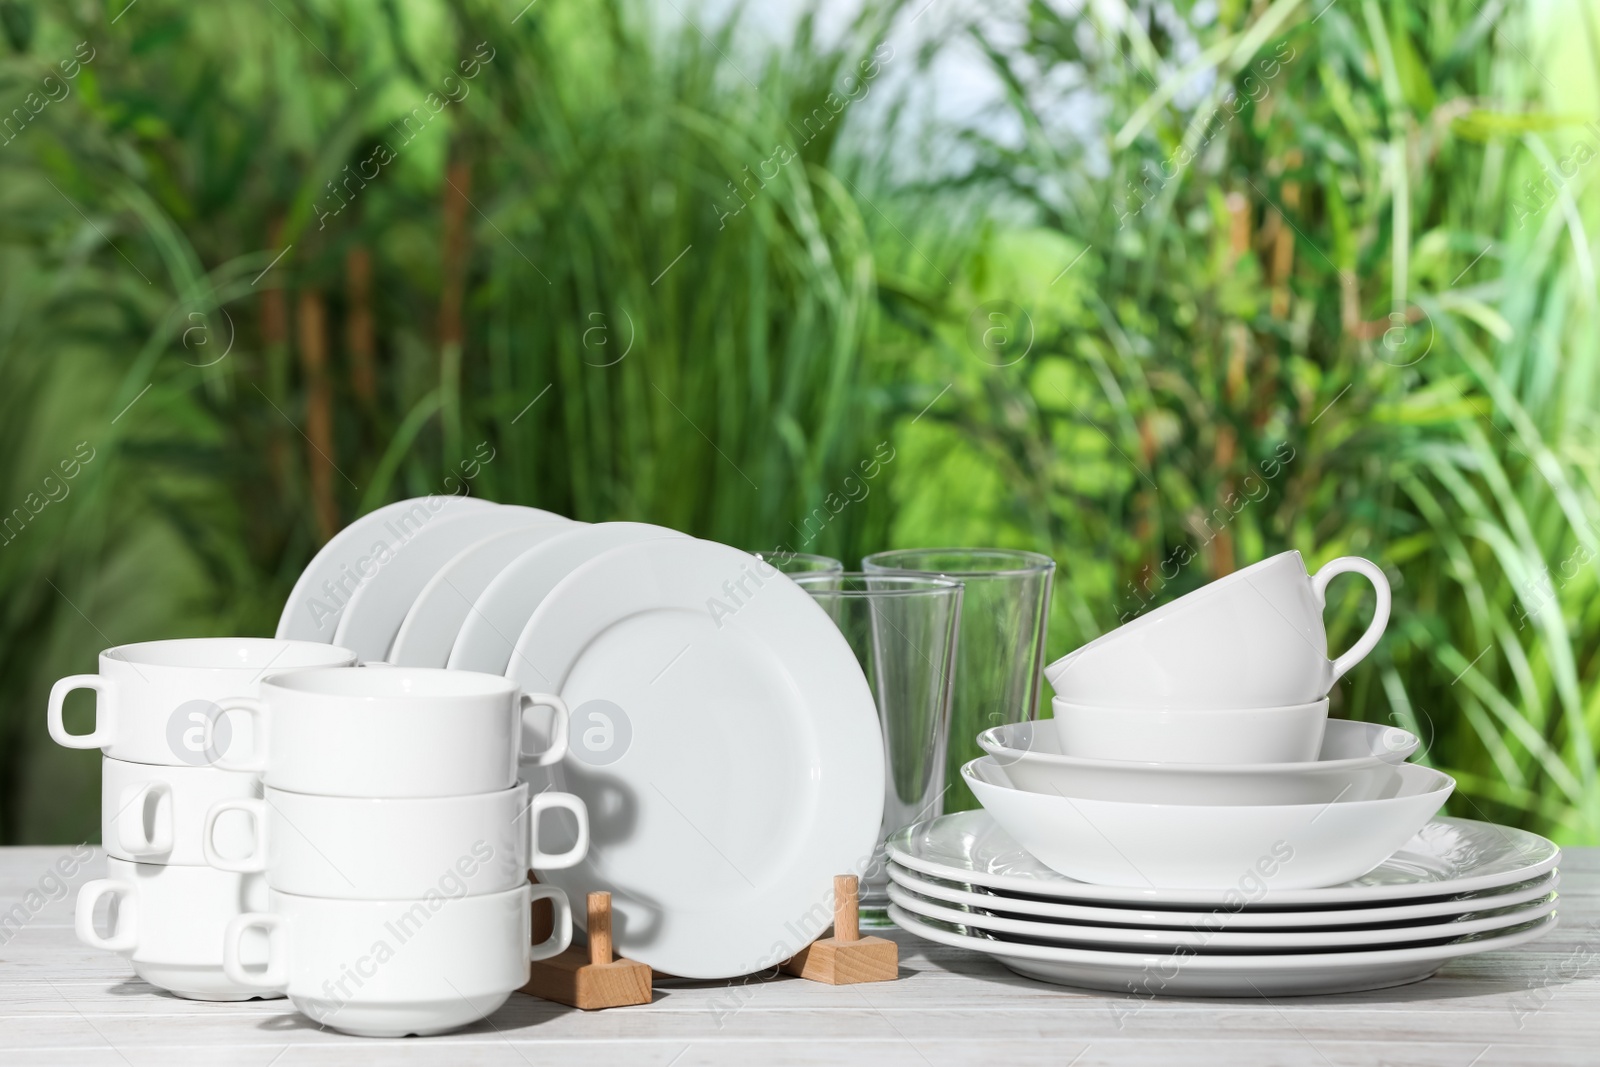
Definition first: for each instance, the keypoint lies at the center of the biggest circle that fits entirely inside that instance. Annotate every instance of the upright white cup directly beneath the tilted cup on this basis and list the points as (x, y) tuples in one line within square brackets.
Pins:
[(1226, 735)]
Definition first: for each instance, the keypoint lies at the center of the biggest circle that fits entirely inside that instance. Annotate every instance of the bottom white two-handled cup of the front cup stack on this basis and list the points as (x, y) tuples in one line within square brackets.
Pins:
[(391, 969)]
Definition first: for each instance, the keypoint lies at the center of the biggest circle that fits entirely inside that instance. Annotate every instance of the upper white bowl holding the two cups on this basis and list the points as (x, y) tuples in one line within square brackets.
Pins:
[(1358, 762)]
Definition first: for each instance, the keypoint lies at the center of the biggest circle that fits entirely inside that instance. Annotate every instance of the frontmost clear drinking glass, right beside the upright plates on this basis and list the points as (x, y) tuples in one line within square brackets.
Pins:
[(903, 631)]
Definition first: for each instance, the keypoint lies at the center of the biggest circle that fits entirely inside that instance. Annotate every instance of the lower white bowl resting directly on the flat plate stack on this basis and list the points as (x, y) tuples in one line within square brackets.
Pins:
[(1210, 847)]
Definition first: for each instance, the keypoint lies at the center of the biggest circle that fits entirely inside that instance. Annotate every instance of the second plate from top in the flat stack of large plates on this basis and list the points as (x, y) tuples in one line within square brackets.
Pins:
[(1222, 919)]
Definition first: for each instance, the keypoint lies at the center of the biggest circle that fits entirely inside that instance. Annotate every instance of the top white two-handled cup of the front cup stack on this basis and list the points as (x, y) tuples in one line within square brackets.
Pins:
[(399, 732)]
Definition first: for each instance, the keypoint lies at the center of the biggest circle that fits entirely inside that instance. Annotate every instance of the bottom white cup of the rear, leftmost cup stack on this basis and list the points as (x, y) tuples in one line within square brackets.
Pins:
[(170, 925)]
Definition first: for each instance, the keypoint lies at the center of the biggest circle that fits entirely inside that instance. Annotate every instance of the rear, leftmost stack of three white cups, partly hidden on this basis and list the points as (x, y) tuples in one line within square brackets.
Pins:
[(158, 722)]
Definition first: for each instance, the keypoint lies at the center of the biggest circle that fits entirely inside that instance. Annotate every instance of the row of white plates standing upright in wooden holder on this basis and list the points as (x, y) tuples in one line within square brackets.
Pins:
[(722, 735)]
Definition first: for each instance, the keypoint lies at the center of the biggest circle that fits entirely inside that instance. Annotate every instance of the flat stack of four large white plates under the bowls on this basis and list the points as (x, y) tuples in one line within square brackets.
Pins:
[(1457, 889)]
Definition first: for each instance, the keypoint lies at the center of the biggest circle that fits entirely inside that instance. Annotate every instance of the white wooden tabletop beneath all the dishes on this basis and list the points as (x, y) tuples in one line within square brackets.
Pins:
[(66, 1004)]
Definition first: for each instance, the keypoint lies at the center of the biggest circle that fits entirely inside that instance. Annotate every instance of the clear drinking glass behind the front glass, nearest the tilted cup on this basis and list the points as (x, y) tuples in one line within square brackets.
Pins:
[(1006, 607)]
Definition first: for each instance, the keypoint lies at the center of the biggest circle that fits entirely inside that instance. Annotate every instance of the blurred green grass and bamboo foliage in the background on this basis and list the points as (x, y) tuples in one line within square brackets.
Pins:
[(1294, 276)]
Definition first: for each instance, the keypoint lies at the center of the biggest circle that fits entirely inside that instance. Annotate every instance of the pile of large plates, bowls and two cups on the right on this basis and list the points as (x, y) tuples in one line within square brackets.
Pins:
[(1191, 823)]
